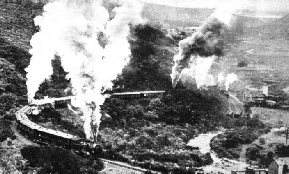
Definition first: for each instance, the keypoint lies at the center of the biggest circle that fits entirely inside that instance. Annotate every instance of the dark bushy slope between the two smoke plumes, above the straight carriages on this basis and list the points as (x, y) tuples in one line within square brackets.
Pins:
[(149, 67)]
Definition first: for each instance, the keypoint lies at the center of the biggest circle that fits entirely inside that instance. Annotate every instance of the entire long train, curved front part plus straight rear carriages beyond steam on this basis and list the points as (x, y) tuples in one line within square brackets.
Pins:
[(47, 136)]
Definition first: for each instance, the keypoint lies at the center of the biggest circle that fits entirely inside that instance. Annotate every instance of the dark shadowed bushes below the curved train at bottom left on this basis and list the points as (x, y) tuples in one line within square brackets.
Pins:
[(55, 160)]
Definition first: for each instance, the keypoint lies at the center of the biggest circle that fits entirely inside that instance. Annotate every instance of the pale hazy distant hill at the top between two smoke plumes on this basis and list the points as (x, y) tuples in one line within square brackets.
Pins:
[(174, 17)]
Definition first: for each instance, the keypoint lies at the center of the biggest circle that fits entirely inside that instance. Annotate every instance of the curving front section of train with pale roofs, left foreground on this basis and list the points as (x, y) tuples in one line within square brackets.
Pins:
[(50, 137)]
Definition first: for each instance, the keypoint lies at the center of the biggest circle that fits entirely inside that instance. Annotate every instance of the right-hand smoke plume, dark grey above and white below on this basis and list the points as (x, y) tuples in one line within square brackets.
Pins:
[(202, 49)]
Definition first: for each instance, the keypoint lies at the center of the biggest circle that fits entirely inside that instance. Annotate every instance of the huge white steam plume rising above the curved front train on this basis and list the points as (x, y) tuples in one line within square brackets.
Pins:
[(71, 29)]
